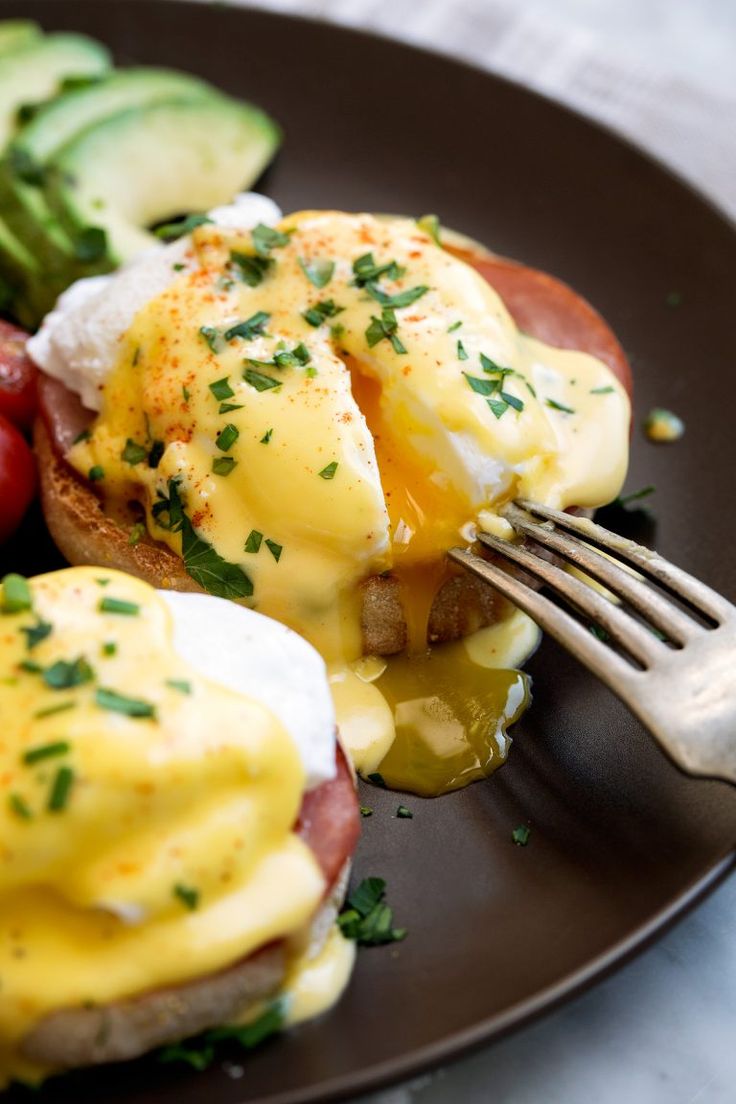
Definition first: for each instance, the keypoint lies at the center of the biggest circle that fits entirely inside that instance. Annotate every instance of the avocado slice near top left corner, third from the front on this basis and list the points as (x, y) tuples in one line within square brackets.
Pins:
[(34, 72)]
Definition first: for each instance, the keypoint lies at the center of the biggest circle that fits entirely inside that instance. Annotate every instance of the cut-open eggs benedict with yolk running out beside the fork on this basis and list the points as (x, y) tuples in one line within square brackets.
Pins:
[(307, 412)]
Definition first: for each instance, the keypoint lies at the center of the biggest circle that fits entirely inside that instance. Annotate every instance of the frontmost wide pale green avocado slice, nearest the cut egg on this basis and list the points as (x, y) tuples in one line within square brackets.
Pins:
[(152, 164)]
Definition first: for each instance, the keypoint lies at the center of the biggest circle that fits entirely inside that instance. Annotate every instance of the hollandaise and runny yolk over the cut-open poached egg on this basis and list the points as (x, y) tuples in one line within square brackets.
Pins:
[(344, 401)]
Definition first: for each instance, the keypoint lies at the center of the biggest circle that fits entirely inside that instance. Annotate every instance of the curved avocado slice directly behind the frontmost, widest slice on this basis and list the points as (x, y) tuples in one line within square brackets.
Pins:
[(23, 203)]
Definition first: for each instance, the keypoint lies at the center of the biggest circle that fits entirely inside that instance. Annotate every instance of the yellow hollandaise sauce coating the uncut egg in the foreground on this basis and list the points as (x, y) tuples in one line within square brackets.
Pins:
[(146, 813)]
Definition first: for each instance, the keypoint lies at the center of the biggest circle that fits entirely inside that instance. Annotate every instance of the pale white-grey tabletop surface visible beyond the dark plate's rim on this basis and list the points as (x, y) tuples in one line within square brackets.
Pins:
[(664, 1029)]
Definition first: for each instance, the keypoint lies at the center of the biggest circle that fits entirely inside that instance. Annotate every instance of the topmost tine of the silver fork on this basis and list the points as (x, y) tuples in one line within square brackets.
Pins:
[(685, 587)]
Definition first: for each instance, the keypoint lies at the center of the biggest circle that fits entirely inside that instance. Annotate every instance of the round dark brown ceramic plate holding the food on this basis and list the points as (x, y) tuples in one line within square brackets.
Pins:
[(621, 843)]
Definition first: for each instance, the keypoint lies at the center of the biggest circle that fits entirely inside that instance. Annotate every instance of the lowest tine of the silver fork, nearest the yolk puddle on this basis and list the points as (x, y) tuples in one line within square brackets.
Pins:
[(603, 662)]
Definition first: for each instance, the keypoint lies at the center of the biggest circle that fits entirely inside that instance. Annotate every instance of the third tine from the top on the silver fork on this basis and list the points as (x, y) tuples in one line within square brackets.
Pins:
[(630, 634)]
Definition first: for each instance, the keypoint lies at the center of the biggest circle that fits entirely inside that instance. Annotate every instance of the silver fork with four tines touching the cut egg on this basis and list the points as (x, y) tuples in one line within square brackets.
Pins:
[(679, 681)]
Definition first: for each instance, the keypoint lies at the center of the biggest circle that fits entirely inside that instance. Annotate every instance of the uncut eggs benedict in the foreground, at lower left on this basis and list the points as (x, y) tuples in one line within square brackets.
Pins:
[(177, 822)]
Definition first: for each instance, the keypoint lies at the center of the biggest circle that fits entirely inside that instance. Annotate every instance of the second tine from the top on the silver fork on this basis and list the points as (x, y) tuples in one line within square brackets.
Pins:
[(677, 625)]
